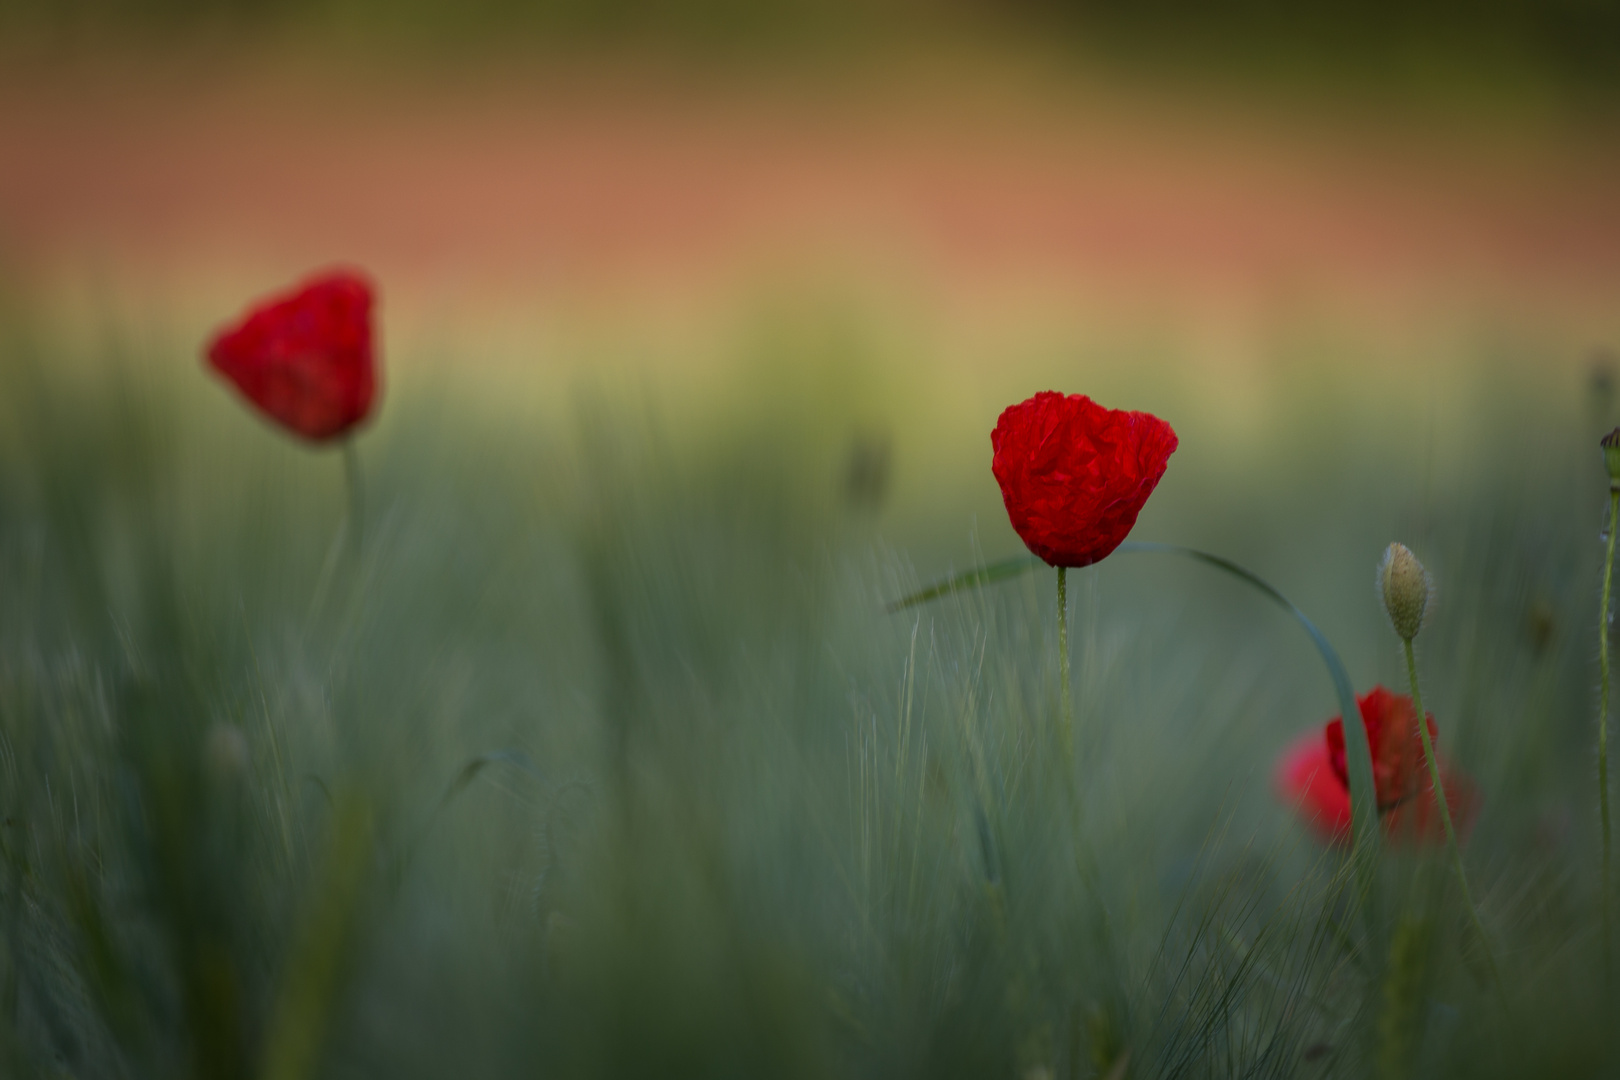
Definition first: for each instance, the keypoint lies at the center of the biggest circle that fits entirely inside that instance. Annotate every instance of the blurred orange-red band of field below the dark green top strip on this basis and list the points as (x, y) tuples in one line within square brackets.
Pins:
[(953, 179)]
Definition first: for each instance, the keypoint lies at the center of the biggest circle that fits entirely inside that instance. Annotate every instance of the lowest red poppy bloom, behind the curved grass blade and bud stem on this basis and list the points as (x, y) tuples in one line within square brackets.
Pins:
[(1315, 778)]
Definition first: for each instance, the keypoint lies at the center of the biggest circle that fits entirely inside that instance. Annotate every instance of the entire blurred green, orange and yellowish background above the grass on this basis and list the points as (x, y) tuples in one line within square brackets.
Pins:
[(986, 181)]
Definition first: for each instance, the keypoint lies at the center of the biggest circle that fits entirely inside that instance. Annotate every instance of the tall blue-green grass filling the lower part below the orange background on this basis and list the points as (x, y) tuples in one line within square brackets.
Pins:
[(607, 760)]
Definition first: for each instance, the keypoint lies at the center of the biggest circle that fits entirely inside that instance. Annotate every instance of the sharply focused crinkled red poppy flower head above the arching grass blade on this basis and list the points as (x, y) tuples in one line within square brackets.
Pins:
[(1075, 475)]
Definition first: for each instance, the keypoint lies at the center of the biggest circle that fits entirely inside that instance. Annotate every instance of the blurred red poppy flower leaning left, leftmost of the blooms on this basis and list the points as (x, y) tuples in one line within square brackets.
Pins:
[(305, 359)]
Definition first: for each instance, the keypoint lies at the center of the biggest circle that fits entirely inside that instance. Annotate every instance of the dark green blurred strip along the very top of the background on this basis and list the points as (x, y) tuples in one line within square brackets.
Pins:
[(1564, 49)]
